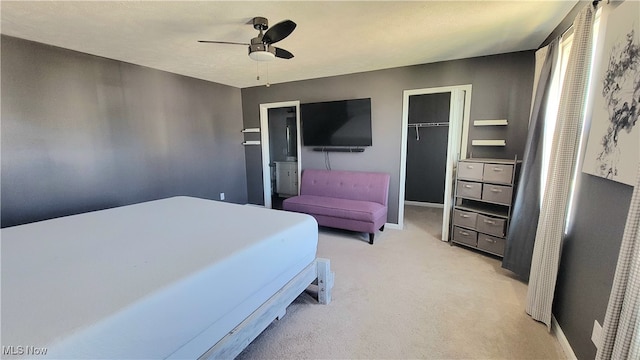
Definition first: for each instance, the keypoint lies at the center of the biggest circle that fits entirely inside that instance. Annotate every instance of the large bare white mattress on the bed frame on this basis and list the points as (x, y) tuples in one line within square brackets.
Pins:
[(165, 278)]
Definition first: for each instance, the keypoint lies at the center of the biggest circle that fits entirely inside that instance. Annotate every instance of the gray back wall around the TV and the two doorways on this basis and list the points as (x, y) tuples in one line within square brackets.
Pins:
[(502, 86)]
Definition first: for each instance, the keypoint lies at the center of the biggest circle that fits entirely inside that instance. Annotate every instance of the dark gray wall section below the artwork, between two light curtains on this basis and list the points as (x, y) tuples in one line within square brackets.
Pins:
[(589, 258)]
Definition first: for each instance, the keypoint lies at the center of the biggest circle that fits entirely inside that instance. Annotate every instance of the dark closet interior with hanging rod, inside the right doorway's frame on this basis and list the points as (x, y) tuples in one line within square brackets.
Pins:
[(427, 140)]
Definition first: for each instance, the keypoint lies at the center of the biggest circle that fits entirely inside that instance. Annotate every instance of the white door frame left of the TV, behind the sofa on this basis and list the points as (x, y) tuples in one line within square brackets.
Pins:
[(264, 142)]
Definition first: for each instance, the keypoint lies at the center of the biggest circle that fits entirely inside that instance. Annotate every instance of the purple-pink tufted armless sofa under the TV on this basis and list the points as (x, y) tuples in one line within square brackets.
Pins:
[(350, 200)]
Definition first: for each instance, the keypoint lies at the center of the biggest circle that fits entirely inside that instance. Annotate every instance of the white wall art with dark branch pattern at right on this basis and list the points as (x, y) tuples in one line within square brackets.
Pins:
[(613, 146)]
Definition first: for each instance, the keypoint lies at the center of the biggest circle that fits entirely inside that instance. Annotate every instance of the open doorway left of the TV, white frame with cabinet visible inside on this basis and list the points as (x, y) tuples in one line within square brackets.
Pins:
[(280, 142)]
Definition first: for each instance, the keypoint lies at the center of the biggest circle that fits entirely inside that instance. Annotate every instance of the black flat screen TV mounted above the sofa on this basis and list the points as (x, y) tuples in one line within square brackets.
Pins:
[(336, 123)]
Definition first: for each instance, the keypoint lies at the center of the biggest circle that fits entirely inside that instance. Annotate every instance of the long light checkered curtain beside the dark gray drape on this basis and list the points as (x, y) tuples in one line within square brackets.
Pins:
[(566, 139)]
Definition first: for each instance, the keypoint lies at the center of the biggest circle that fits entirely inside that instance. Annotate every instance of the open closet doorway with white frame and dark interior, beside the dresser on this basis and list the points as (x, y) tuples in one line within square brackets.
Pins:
[(435, 125)]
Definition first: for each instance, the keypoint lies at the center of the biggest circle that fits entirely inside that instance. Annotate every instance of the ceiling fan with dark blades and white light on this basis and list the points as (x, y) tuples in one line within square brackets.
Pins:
[(260, 48)]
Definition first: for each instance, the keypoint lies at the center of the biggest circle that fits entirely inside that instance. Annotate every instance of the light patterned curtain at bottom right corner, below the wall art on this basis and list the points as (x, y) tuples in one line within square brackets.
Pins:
[(621, 328)]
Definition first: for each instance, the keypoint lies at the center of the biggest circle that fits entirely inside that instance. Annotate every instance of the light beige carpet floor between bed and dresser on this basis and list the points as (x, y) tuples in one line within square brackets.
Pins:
[(409, 296)]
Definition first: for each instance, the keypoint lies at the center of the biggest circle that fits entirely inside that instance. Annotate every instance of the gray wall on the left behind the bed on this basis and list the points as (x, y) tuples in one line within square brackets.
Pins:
[(82, 133)]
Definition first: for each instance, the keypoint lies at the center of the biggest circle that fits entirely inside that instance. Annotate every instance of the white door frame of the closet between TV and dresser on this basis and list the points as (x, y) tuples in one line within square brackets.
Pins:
[(459, 113)]
